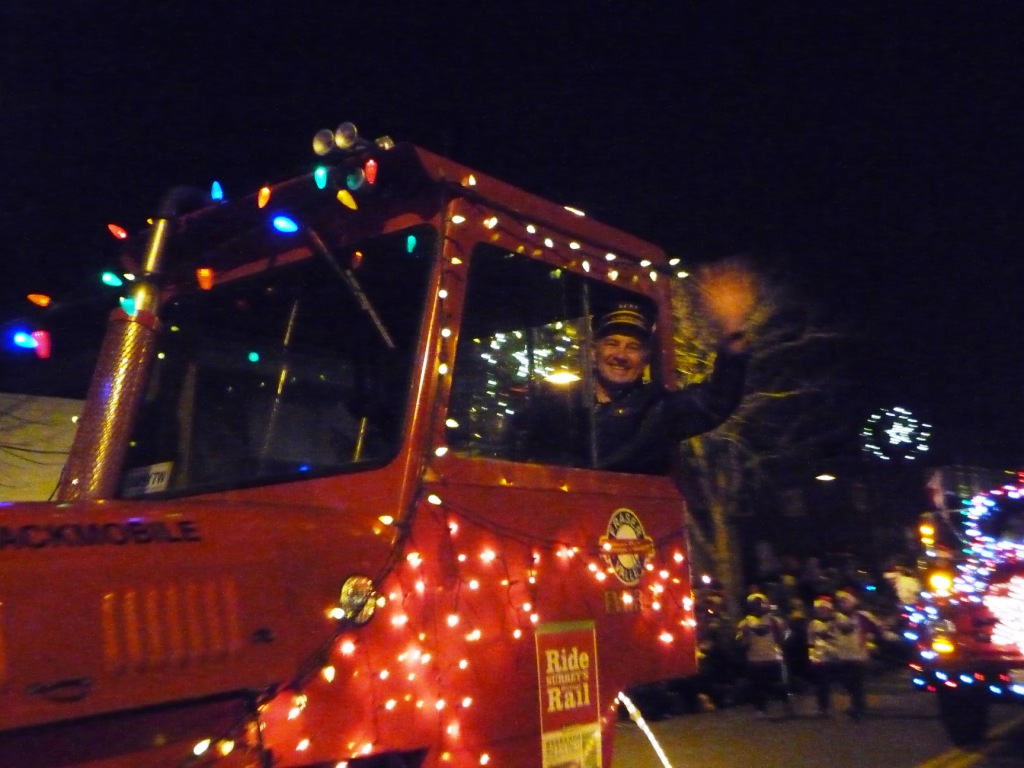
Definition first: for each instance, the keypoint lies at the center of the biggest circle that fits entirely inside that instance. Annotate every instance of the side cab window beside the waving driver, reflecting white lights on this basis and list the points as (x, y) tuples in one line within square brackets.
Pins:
[(522, 388)]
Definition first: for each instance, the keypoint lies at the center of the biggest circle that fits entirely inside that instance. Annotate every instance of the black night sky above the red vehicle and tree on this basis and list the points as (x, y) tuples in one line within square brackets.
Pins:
[(872, 153)]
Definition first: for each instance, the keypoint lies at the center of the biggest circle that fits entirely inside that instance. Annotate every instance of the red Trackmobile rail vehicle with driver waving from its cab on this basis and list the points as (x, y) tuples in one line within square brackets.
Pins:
[(294, 531)]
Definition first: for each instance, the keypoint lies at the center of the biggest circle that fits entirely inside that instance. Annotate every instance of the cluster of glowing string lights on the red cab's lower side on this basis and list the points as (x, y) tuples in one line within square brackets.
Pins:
[(413, 692)]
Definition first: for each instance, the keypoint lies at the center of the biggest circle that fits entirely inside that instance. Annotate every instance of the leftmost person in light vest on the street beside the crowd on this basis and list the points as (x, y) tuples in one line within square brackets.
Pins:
[(762, 634)]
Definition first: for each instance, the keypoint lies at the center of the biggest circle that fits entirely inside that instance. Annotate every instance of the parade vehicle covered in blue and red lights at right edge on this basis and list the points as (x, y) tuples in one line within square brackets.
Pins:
[(972, 625)]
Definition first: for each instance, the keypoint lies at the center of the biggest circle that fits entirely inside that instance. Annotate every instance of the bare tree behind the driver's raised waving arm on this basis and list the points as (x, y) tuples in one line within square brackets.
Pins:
[(788, 415)]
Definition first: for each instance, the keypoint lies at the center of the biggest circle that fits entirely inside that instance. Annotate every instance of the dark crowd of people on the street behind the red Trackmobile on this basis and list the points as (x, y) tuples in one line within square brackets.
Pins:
[(806, 629)]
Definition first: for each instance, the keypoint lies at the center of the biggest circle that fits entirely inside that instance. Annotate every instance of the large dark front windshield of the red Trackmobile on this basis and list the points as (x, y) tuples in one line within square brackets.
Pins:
[(297, 371)]
